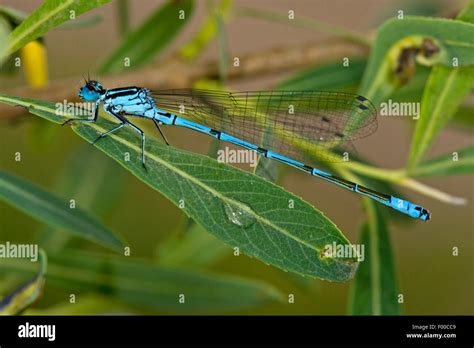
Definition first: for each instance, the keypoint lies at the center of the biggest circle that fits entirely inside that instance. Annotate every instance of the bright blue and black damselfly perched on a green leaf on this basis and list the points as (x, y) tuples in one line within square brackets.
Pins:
[(284, 126)]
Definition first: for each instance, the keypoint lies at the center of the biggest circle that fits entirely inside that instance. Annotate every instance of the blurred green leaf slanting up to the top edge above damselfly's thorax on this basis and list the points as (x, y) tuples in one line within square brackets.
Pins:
[(143, 44)]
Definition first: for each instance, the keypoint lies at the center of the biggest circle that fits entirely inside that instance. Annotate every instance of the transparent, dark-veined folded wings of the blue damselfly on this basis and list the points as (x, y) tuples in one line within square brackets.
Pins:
[(301, 125)]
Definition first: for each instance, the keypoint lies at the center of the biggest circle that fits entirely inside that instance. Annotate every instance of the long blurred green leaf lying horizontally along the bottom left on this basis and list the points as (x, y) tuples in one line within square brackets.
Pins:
[(149, 286)]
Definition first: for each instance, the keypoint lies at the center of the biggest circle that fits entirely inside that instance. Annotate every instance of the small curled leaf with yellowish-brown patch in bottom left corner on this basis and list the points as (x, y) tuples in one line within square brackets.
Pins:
[(26, 294)]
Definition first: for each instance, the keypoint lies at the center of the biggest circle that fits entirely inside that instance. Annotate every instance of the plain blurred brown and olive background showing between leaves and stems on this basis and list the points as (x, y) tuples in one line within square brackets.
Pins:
[(430, 278)]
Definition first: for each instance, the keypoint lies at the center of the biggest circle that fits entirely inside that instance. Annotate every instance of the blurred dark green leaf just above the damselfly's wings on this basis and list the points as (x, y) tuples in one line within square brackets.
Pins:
[(332, 76)]
